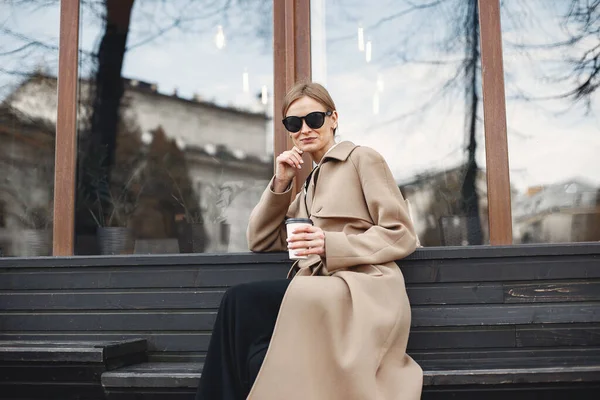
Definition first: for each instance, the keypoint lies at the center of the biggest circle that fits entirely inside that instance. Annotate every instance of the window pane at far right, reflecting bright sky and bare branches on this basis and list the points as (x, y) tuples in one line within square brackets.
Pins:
[(551, 52)]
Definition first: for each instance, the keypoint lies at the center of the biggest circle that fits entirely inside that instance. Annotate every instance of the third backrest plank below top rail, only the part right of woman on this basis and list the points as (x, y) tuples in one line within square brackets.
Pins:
[(505, 314)]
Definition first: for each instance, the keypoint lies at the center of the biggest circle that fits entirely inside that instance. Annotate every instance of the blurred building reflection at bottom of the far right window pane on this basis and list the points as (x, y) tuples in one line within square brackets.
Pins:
[(563, 212)]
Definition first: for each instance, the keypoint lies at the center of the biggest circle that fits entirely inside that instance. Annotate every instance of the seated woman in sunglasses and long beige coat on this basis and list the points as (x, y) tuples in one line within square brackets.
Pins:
[(339, 328)]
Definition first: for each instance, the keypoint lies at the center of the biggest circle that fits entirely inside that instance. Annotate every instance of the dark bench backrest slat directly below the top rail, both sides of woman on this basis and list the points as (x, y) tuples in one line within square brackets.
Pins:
[(492, 270)]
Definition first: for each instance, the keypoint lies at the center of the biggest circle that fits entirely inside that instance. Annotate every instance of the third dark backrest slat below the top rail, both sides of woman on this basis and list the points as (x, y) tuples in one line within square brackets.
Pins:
[(203, 320)]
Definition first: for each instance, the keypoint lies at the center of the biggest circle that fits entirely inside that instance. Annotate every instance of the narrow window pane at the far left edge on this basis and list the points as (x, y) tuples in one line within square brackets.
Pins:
[(28, 67)]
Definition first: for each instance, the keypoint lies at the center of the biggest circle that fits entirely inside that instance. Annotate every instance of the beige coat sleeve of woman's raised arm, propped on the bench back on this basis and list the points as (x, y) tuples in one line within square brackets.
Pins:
[(266, 227)]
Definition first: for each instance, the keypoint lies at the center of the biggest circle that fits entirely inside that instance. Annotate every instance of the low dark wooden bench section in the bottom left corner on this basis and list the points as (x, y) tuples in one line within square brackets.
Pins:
[(34, 369)]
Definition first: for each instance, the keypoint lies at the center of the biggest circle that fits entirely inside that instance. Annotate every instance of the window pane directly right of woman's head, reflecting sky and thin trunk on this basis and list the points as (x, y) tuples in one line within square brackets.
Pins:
[(406, 80)]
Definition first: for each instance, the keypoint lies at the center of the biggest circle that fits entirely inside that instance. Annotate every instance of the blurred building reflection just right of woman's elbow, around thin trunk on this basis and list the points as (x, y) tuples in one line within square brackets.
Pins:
[(436, 211)]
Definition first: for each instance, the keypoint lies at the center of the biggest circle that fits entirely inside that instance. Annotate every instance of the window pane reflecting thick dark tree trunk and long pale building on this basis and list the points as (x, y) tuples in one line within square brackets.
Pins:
[(175, 131)]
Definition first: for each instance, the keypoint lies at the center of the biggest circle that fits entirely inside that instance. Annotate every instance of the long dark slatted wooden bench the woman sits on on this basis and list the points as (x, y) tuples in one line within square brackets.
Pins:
[(510, 321)]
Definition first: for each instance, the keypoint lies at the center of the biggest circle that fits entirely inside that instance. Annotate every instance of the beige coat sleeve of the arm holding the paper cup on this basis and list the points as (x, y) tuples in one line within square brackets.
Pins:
[(392, 236)]
